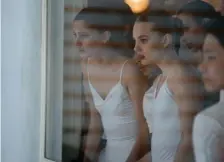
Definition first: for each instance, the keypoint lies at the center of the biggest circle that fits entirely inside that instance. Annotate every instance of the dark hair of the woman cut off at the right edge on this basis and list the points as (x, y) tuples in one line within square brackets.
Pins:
[(216, 28)]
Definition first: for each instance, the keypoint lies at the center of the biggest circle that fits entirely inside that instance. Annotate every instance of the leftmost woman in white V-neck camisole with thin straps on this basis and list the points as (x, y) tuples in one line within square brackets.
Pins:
[(115, 84)]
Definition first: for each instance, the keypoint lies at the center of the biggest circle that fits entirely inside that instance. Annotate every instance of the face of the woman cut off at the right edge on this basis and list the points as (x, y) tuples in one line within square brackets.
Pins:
[(212, 65)]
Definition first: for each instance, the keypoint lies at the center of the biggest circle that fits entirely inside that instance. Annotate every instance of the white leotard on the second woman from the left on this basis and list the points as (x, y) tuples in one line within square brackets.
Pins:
[(165, 125)]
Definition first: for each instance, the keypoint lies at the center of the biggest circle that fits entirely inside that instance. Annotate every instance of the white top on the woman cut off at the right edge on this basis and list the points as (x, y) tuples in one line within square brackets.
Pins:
[(208, 134)]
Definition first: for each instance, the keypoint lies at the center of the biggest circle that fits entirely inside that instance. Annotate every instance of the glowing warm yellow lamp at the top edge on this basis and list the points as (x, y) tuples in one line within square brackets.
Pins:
[(137, 6)]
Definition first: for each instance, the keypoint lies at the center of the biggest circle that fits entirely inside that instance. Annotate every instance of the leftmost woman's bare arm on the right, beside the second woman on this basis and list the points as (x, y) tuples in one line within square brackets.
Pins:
[(137, 85)]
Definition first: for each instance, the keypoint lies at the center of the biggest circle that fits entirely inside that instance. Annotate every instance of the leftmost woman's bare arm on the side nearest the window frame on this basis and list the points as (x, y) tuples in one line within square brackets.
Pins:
[(93, 137)]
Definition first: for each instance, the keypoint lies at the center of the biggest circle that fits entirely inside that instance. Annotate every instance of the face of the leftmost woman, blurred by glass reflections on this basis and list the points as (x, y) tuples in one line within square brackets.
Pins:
[(86, 39)]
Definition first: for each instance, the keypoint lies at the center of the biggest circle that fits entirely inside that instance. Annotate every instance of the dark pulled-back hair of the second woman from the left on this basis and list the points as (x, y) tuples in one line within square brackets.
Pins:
[(164, 23)]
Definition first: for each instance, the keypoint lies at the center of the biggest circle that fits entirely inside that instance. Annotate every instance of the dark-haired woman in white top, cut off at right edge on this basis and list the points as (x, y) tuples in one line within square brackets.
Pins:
[(208, 135)]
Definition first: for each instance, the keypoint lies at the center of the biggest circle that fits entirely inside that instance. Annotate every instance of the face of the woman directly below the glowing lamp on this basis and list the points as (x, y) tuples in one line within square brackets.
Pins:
[(147, 43)]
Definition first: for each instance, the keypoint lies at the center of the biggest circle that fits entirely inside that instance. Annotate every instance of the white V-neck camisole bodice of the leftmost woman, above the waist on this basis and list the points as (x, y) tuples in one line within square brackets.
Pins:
[(116, 111)]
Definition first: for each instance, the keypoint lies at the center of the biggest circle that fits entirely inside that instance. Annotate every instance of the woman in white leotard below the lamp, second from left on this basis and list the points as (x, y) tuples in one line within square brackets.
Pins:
[(177, 94)]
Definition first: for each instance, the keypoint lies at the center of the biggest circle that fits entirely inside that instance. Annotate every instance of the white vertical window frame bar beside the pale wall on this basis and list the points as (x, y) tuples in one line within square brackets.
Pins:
[(45, 27)]
